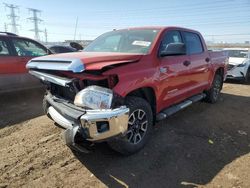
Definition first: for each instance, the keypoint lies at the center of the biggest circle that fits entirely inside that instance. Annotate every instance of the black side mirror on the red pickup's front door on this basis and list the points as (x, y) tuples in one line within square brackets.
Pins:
[(174, 49)]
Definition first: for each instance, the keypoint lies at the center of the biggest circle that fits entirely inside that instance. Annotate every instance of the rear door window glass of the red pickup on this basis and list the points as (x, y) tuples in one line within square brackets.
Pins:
[(193, 43)]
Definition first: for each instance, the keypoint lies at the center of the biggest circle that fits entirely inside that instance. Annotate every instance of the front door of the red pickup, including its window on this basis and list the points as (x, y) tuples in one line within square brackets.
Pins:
[(173, 72)]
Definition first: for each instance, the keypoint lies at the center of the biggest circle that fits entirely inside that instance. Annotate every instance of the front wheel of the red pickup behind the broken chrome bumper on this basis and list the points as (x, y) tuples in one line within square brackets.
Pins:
[(139, 127)]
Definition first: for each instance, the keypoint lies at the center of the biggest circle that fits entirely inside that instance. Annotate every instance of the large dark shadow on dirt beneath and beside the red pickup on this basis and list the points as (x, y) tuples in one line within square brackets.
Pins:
[(187, 149)]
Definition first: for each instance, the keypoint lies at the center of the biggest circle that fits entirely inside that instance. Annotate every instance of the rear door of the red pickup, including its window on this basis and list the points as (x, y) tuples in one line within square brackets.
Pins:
[(199, 62)]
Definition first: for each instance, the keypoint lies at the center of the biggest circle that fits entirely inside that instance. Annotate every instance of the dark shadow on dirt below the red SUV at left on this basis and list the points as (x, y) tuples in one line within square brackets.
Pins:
[(20, 106)]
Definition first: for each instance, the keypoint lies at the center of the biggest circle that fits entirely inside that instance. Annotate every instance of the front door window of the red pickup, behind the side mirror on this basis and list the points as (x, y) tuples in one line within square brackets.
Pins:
[(170, 37)]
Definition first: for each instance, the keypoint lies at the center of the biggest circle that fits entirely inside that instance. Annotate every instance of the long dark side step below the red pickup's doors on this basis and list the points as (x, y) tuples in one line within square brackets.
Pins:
[(173, 109)]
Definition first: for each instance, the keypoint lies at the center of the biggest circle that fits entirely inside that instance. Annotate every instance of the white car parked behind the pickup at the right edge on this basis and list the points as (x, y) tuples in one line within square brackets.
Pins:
[(239, 63)]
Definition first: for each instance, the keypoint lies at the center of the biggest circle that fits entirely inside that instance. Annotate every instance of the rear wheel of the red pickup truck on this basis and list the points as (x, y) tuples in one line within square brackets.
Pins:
[(213, 93)]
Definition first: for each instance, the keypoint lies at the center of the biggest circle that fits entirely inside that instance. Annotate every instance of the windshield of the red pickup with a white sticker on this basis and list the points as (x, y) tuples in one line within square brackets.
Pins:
[(124, 41)]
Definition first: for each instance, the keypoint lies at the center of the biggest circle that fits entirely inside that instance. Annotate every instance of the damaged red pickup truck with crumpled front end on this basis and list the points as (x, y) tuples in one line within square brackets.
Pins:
[(125, 81)]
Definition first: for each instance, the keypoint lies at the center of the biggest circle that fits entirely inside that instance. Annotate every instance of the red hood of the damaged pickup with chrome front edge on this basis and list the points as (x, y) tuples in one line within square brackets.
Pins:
[(80, 61)]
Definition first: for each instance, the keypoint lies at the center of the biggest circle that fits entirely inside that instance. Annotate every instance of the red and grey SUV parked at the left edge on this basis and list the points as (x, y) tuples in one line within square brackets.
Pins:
[(15, 52)]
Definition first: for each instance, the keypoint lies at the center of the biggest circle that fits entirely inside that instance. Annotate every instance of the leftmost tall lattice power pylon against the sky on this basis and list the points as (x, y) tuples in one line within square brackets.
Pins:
[(13, 17)]
